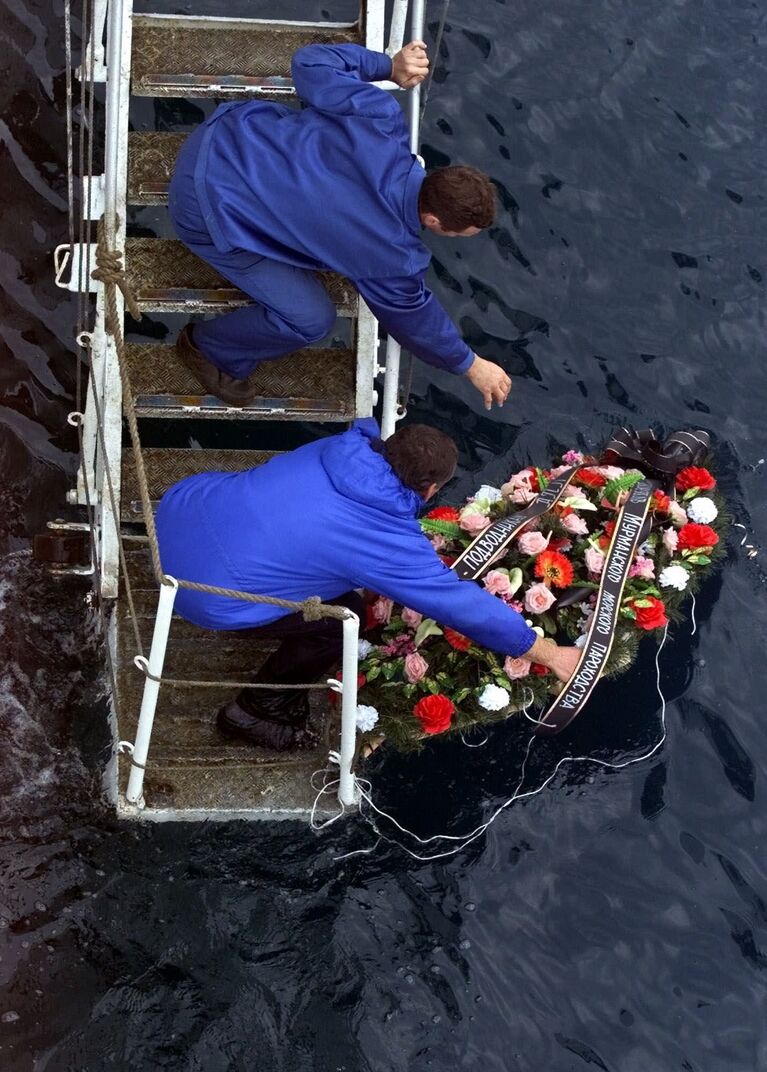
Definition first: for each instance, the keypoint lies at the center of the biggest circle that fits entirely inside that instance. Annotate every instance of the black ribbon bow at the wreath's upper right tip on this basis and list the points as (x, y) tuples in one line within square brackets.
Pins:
[(661, 461)]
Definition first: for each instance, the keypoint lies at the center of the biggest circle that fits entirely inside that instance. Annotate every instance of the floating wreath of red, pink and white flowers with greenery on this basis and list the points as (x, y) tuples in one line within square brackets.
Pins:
[(419, 678)]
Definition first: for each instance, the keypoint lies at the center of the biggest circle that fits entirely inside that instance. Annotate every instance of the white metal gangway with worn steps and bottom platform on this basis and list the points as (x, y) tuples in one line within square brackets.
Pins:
[(168, 676)]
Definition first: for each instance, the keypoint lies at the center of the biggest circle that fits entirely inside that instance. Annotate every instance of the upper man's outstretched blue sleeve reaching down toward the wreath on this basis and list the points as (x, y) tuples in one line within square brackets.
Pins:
[(412, 315)]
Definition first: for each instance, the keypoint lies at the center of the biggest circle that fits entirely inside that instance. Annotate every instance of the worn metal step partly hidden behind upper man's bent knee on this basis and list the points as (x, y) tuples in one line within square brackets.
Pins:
[(167, 277)]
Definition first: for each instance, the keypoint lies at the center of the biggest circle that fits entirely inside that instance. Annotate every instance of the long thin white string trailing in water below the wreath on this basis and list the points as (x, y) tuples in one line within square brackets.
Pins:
[(466, 840)]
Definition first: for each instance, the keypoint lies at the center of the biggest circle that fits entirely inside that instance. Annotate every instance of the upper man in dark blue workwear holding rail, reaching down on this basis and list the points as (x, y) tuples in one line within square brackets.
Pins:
[(269, 195)]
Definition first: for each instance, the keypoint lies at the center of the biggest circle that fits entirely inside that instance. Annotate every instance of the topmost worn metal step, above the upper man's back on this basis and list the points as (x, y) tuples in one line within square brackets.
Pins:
[(227, 58)]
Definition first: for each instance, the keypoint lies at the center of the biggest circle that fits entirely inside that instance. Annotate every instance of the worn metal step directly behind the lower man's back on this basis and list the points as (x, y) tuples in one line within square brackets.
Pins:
[(167, 466)]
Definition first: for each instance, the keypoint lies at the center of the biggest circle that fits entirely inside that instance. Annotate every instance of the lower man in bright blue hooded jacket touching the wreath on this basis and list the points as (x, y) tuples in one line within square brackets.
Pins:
[(337, 515)]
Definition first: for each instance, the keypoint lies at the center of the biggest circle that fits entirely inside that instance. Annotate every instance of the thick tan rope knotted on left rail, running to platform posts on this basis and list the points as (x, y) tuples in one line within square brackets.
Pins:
[(110, 271)]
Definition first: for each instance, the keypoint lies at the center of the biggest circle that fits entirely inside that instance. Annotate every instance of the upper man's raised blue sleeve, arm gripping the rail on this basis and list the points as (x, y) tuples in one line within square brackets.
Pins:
[(336, 79)]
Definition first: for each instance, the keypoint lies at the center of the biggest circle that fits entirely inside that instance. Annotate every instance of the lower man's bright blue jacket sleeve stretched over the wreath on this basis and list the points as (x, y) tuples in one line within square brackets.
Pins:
[(411, 573)]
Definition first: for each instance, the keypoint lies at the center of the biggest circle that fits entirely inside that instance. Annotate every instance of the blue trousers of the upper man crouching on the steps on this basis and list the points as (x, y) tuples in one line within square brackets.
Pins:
[(292, 308)]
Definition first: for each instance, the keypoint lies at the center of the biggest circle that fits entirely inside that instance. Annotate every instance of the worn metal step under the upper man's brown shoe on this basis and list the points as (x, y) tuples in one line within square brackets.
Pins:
[(312, 384)]
